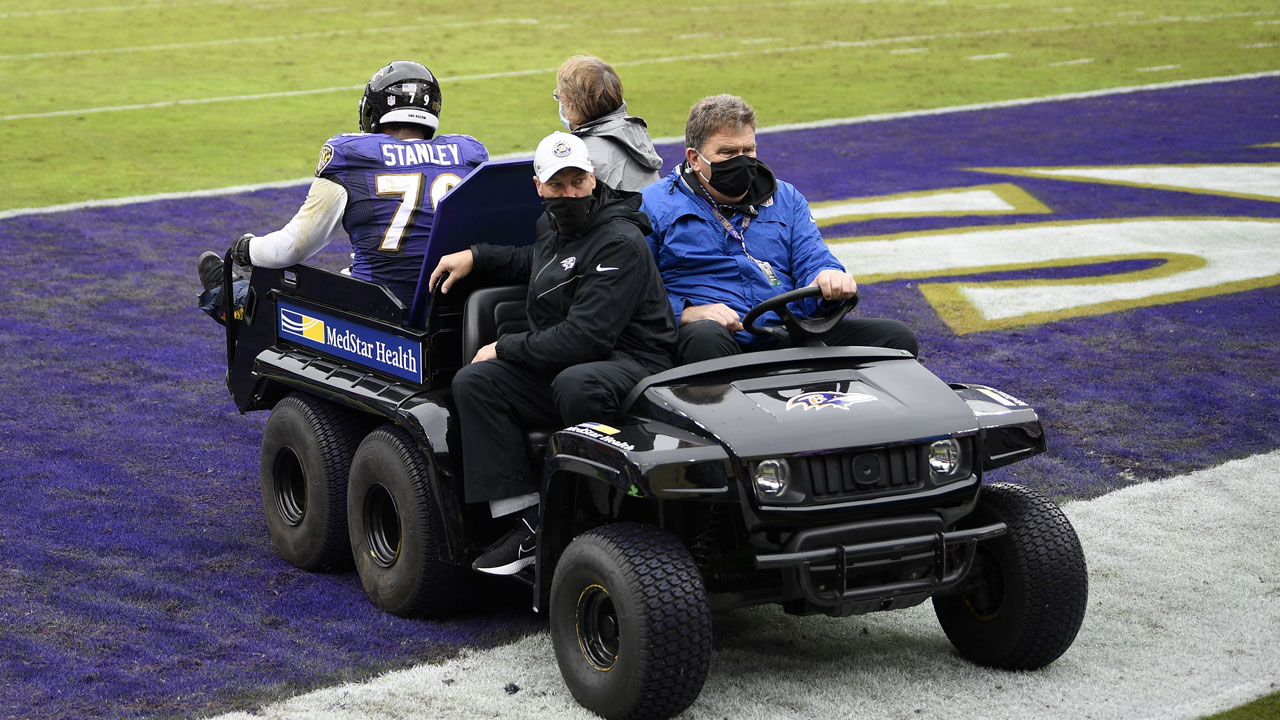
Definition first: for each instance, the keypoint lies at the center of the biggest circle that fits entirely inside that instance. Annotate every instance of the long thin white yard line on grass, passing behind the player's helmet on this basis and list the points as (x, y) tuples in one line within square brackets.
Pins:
[(826, 45)]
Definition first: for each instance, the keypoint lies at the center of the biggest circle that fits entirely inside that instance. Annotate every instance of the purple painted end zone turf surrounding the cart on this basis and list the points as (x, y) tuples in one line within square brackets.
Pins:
[(138, 578)]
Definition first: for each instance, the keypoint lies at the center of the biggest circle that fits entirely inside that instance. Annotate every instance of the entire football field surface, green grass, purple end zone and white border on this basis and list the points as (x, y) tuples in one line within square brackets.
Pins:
[(1078, 203)]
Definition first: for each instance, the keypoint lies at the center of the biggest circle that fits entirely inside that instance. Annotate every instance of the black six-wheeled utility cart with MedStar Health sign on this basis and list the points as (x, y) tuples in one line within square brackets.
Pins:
[(833, 481)]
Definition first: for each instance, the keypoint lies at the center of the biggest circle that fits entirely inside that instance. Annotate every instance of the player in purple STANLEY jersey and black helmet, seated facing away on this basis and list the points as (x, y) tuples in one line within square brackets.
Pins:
[(381, 186)]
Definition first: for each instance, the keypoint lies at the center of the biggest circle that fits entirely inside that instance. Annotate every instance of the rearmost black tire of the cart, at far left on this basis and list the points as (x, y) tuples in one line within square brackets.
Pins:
[(308, 445)]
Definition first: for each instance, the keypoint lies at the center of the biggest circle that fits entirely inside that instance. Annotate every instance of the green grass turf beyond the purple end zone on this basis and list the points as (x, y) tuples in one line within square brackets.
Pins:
[(797, 61)]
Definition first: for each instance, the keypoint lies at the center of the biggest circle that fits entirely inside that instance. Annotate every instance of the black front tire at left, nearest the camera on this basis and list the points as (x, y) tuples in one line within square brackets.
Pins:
[(630, 622)]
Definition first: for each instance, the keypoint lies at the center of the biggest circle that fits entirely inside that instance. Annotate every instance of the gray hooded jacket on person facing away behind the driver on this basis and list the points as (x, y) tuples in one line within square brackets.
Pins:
[(621, 151)]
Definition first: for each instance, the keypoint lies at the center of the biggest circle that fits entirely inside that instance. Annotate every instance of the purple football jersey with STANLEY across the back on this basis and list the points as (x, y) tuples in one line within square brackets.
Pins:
[(394, 188)]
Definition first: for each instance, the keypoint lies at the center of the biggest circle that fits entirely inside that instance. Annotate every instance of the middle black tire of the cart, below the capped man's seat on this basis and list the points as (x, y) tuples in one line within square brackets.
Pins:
[(396, 532)]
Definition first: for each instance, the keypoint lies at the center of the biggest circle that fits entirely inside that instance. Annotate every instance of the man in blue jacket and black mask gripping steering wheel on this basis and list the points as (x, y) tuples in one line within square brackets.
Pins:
[(728, 236)]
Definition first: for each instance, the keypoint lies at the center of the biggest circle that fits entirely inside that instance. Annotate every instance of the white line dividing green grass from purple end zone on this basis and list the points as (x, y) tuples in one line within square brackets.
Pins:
[(815, 125)]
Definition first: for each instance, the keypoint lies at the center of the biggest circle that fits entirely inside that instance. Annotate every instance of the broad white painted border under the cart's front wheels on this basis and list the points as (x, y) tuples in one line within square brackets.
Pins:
[(1185, 610)]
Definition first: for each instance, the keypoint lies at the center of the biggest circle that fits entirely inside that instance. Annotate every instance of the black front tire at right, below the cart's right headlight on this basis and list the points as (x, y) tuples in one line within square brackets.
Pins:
[(1026, 596)]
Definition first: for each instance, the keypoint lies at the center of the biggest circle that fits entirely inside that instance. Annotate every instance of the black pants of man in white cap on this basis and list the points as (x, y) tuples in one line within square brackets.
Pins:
[(497, 402)]
